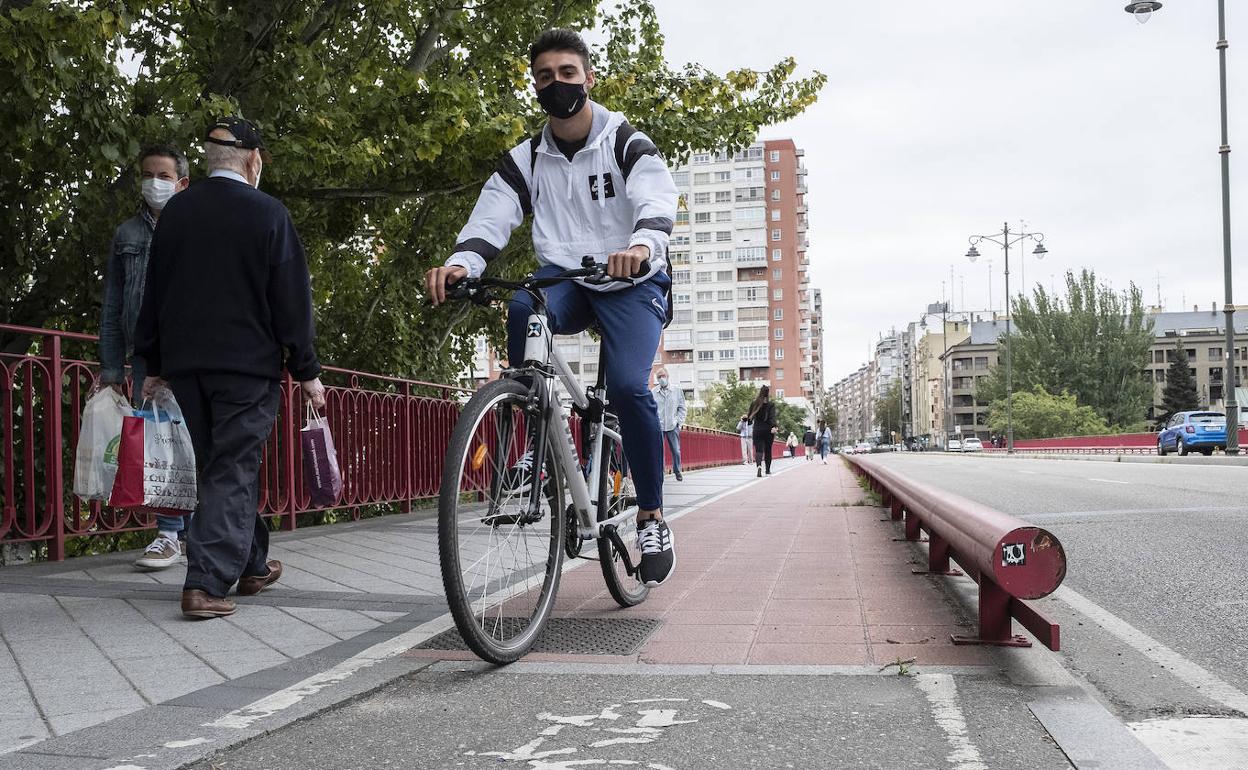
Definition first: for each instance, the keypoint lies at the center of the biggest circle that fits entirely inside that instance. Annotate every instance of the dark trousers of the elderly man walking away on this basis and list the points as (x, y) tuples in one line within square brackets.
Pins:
[(229, 417)]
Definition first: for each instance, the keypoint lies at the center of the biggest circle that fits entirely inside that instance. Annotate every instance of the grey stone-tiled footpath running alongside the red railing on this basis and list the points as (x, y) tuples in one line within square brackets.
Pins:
[(89, 641)]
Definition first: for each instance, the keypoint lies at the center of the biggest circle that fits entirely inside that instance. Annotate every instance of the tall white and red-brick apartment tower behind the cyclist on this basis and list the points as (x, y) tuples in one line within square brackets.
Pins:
[(742, 283)]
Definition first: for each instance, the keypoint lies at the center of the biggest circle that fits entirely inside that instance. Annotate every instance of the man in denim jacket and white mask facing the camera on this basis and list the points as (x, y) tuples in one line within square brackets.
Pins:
[(164, 173)]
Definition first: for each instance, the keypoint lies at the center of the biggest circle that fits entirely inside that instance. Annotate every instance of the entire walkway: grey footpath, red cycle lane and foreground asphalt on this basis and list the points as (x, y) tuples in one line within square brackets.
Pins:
[(792, 606)]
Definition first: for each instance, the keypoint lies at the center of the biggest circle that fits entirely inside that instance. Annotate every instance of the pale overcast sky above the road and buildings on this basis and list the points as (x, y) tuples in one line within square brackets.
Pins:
[(943, 120)]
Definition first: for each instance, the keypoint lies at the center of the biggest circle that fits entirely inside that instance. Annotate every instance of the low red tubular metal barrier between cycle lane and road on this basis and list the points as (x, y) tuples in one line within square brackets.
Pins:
[(1010, 560)]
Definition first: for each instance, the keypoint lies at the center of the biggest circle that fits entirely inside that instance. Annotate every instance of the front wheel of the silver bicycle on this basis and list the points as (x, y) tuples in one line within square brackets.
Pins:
[(500, 525)]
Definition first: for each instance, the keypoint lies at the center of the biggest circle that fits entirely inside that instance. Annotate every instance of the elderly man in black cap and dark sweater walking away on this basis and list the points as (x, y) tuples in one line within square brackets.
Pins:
[(227, 306)]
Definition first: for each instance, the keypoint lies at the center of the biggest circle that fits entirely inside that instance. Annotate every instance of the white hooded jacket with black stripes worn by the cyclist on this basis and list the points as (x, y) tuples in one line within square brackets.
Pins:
[(571, 218)]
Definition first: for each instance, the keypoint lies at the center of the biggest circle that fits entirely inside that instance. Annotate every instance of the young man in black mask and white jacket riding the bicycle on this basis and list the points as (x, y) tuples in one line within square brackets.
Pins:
[(595, 187)]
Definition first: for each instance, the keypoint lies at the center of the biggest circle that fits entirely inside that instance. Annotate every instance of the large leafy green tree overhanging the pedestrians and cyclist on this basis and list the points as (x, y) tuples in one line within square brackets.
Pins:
[(383, 118)]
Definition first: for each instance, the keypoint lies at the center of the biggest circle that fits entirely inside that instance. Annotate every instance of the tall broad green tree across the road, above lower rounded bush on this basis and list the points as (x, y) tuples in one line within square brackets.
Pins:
[(1093, 344)]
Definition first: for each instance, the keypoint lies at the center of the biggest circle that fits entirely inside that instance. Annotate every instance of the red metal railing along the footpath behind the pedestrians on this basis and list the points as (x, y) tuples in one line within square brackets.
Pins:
[(391, 436)]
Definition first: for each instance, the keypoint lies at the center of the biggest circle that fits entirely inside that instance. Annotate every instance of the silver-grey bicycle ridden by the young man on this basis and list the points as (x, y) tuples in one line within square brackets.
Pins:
[(504, 529)]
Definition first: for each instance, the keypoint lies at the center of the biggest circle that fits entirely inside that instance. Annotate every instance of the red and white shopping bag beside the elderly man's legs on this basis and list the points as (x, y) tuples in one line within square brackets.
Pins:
[(155, 461)]
